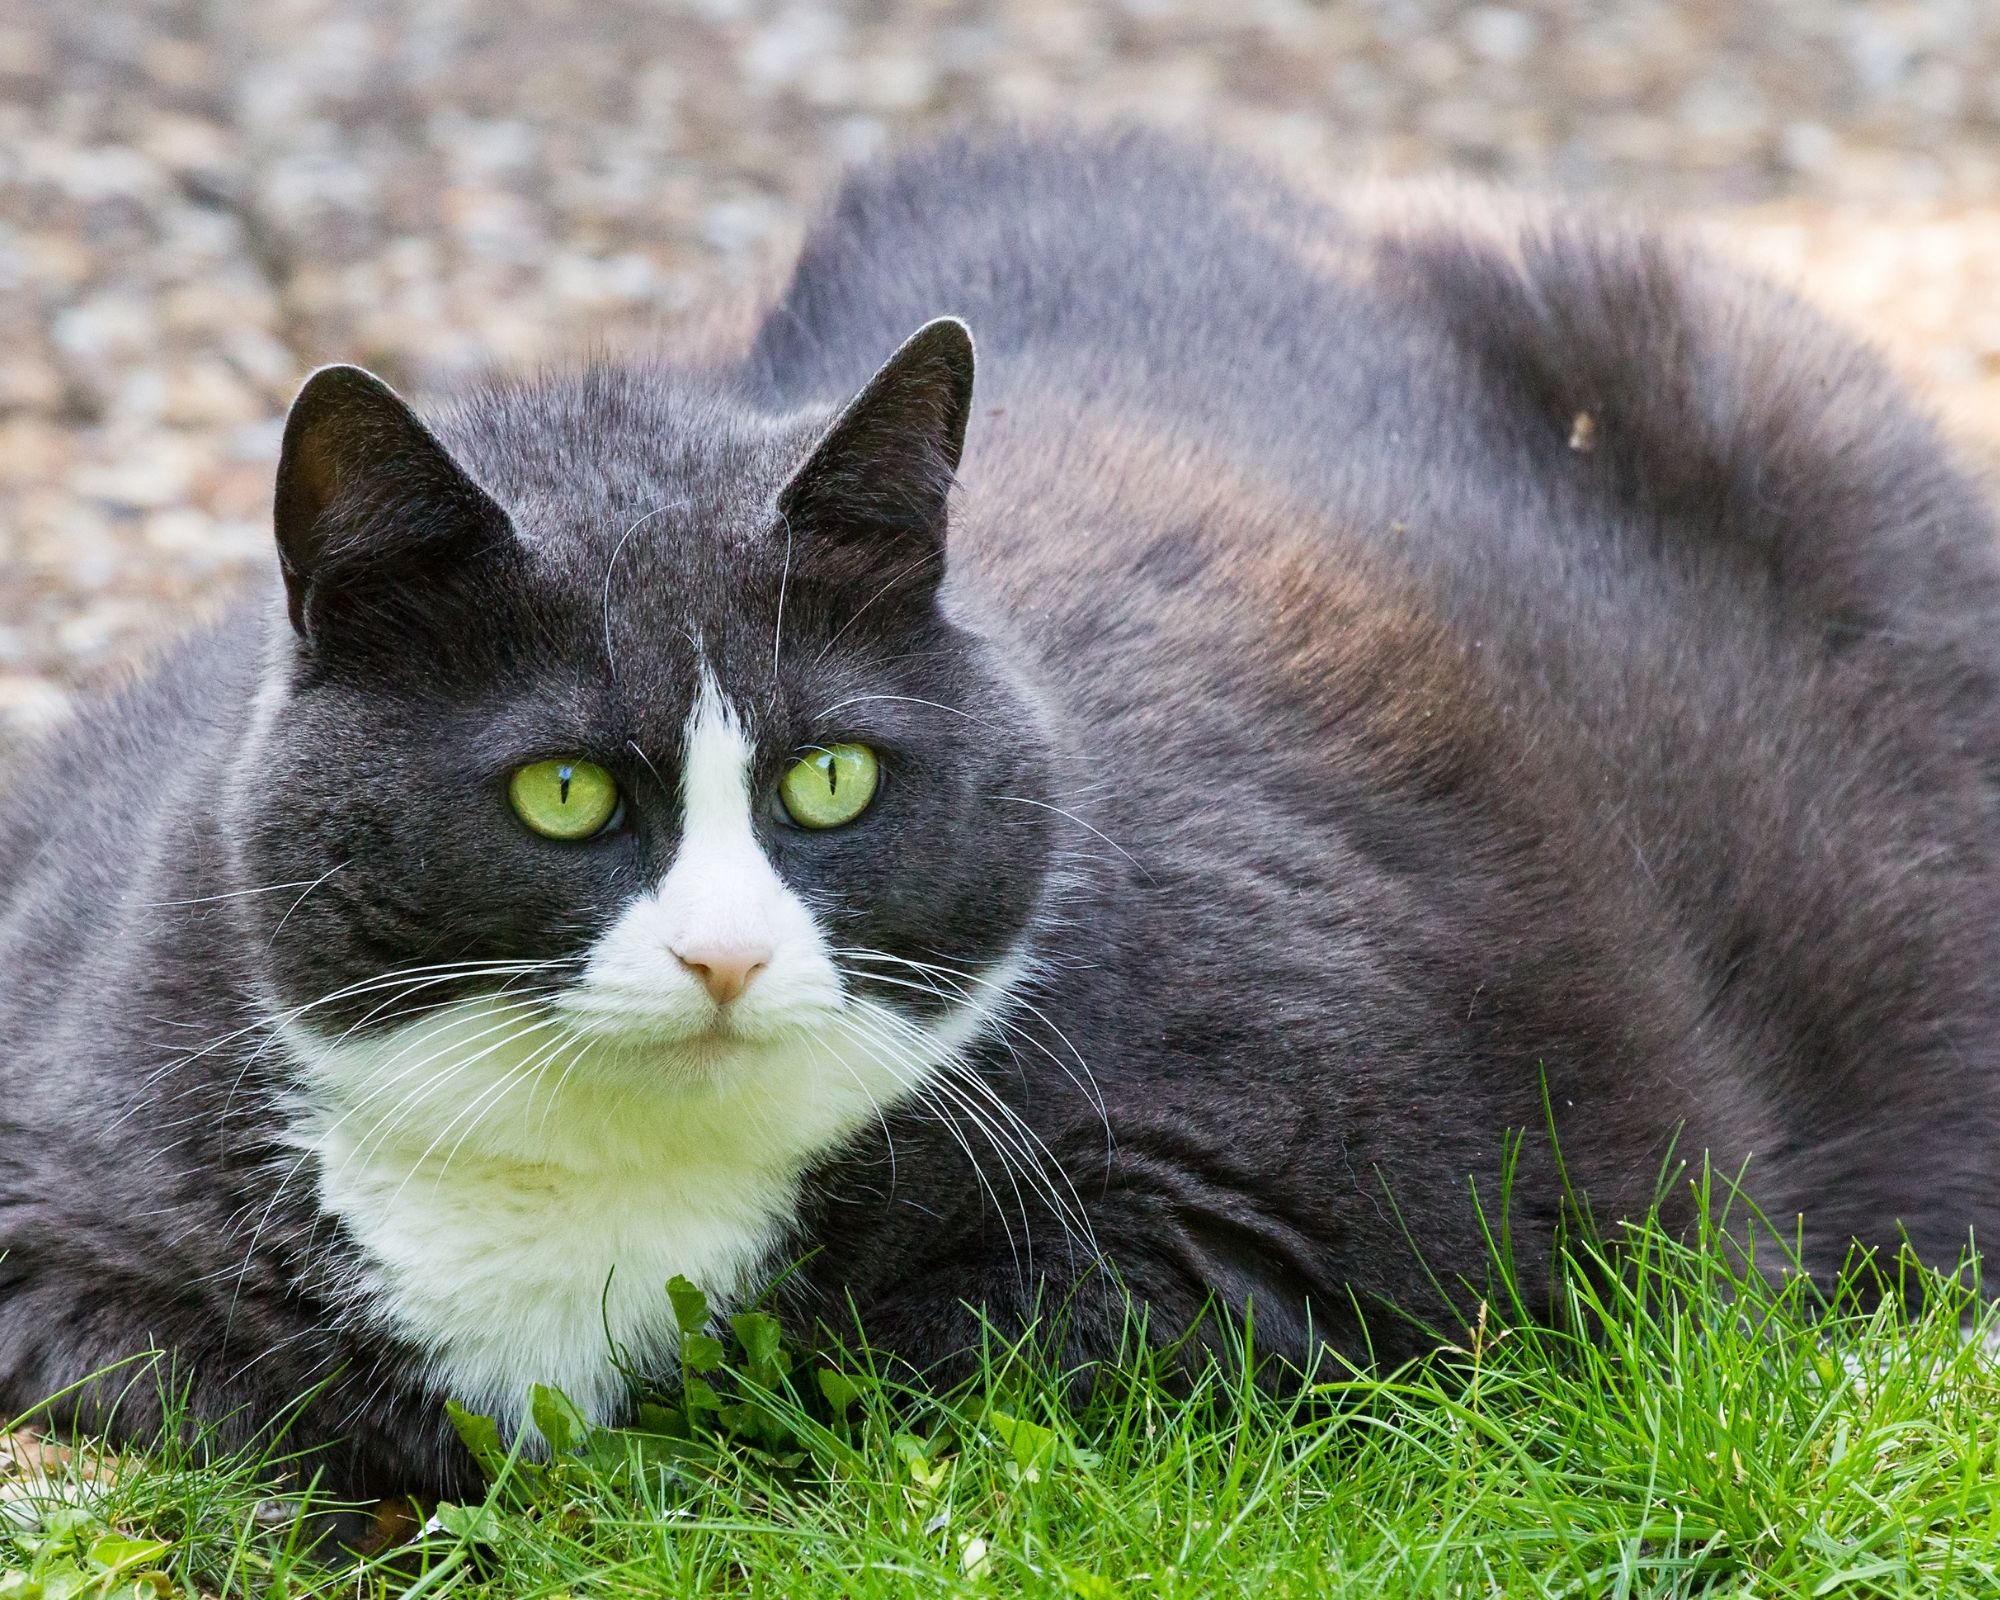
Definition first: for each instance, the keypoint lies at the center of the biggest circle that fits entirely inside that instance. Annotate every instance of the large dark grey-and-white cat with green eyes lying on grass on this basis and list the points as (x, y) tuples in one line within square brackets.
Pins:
[(1341, 685)]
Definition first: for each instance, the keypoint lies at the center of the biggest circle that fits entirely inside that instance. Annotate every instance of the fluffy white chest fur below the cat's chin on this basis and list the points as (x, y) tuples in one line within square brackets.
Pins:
[(521, 1211)]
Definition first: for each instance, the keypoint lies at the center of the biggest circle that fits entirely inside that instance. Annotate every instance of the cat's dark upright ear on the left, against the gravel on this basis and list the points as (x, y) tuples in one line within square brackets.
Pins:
[(369, 499)]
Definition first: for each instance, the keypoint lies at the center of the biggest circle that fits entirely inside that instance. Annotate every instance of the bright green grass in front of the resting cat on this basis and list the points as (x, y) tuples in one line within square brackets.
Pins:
[(1683, 1425)]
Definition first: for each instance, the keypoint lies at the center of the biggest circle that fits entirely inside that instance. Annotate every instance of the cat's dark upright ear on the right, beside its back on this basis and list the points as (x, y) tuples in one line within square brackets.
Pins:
[(871, 499)]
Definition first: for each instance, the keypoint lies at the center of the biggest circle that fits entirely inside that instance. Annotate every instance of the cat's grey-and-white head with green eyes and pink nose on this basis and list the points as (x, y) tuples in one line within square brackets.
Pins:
[(645, 709)]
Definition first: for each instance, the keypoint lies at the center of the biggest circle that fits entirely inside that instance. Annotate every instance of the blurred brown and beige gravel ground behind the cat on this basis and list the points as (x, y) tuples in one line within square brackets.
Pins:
[(201, 199)]
